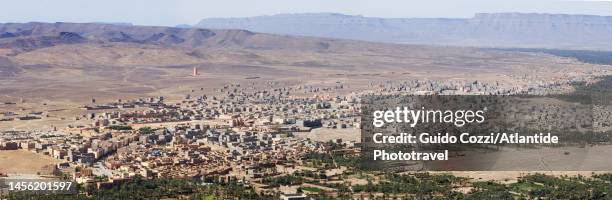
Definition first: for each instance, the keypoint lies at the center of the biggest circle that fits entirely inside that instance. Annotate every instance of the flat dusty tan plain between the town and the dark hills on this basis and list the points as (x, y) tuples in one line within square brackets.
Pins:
[(59, 79)]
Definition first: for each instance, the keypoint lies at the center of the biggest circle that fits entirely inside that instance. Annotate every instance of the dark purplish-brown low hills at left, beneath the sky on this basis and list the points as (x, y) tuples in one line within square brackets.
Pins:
[(35, 35)]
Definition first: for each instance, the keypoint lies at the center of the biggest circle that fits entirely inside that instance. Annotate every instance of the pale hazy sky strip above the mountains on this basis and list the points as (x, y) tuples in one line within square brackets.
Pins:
[(173, 12)]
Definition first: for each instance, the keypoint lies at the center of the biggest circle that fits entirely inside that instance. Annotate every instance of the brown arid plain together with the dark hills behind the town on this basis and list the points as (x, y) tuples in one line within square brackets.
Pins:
[(58, 67)]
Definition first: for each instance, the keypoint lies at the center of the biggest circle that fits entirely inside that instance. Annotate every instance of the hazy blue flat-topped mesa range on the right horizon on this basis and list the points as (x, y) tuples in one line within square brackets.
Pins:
[(524, 30)]
